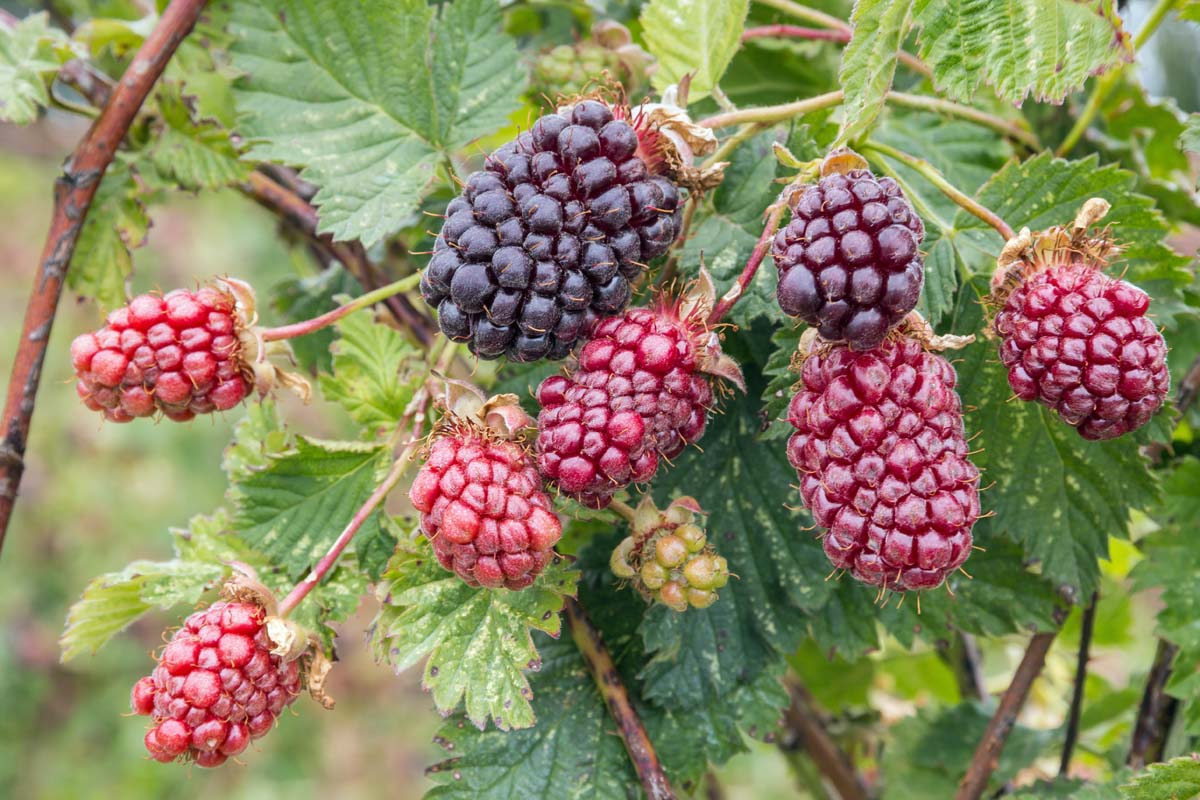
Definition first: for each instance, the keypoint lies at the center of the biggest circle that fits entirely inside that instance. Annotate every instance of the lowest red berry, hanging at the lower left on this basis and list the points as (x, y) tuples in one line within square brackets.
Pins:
[(217, 687)]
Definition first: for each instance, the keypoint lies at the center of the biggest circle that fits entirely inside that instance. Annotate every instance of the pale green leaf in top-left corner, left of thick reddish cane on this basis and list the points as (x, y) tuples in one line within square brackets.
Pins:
[(31, 51)]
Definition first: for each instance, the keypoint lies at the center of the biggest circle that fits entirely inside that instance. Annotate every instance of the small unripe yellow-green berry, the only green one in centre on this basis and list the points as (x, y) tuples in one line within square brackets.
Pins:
[(668, 557)]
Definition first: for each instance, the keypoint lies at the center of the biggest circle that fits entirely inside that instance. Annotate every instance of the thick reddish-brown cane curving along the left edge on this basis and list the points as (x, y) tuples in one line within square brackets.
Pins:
[(74, 193)]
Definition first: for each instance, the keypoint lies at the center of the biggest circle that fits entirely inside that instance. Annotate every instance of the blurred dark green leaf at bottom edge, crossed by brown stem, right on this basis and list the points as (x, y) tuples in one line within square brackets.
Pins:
[(929, 753)]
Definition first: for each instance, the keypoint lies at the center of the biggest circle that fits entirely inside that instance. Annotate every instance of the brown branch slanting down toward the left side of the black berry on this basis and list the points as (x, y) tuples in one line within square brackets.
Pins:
[(302, 216)]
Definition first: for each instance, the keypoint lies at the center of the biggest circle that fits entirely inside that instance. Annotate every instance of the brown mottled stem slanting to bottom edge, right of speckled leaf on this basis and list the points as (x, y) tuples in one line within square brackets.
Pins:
[(629, 725)]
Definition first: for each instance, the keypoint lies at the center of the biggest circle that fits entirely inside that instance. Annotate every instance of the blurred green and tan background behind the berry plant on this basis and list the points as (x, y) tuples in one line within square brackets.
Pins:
[(97, 497)]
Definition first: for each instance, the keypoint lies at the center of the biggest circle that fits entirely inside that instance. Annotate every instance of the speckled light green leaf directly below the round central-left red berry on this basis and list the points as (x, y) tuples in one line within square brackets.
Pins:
[(478, 641)]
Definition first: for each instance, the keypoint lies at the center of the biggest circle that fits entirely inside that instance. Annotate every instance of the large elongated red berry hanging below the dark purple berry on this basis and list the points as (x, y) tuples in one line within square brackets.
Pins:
[(883, 459)]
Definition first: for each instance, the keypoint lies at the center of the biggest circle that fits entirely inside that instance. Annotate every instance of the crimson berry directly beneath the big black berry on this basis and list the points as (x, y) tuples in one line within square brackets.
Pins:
[(639, 394)]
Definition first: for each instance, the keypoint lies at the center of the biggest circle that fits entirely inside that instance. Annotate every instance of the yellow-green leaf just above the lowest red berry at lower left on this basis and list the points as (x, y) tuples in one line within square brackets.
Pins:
[(113, 601)]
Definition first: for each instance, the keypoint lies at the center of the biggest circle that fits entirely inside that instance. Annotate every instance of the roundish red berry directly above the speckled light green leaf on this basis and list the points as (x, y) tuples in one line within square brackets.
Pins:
[(482, 506)]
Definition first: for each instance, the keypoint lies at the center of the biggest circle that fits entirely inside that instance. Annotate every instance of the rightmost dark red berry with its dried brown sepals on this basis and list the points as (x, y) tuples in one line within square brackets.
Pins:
[(1075, 339)]
